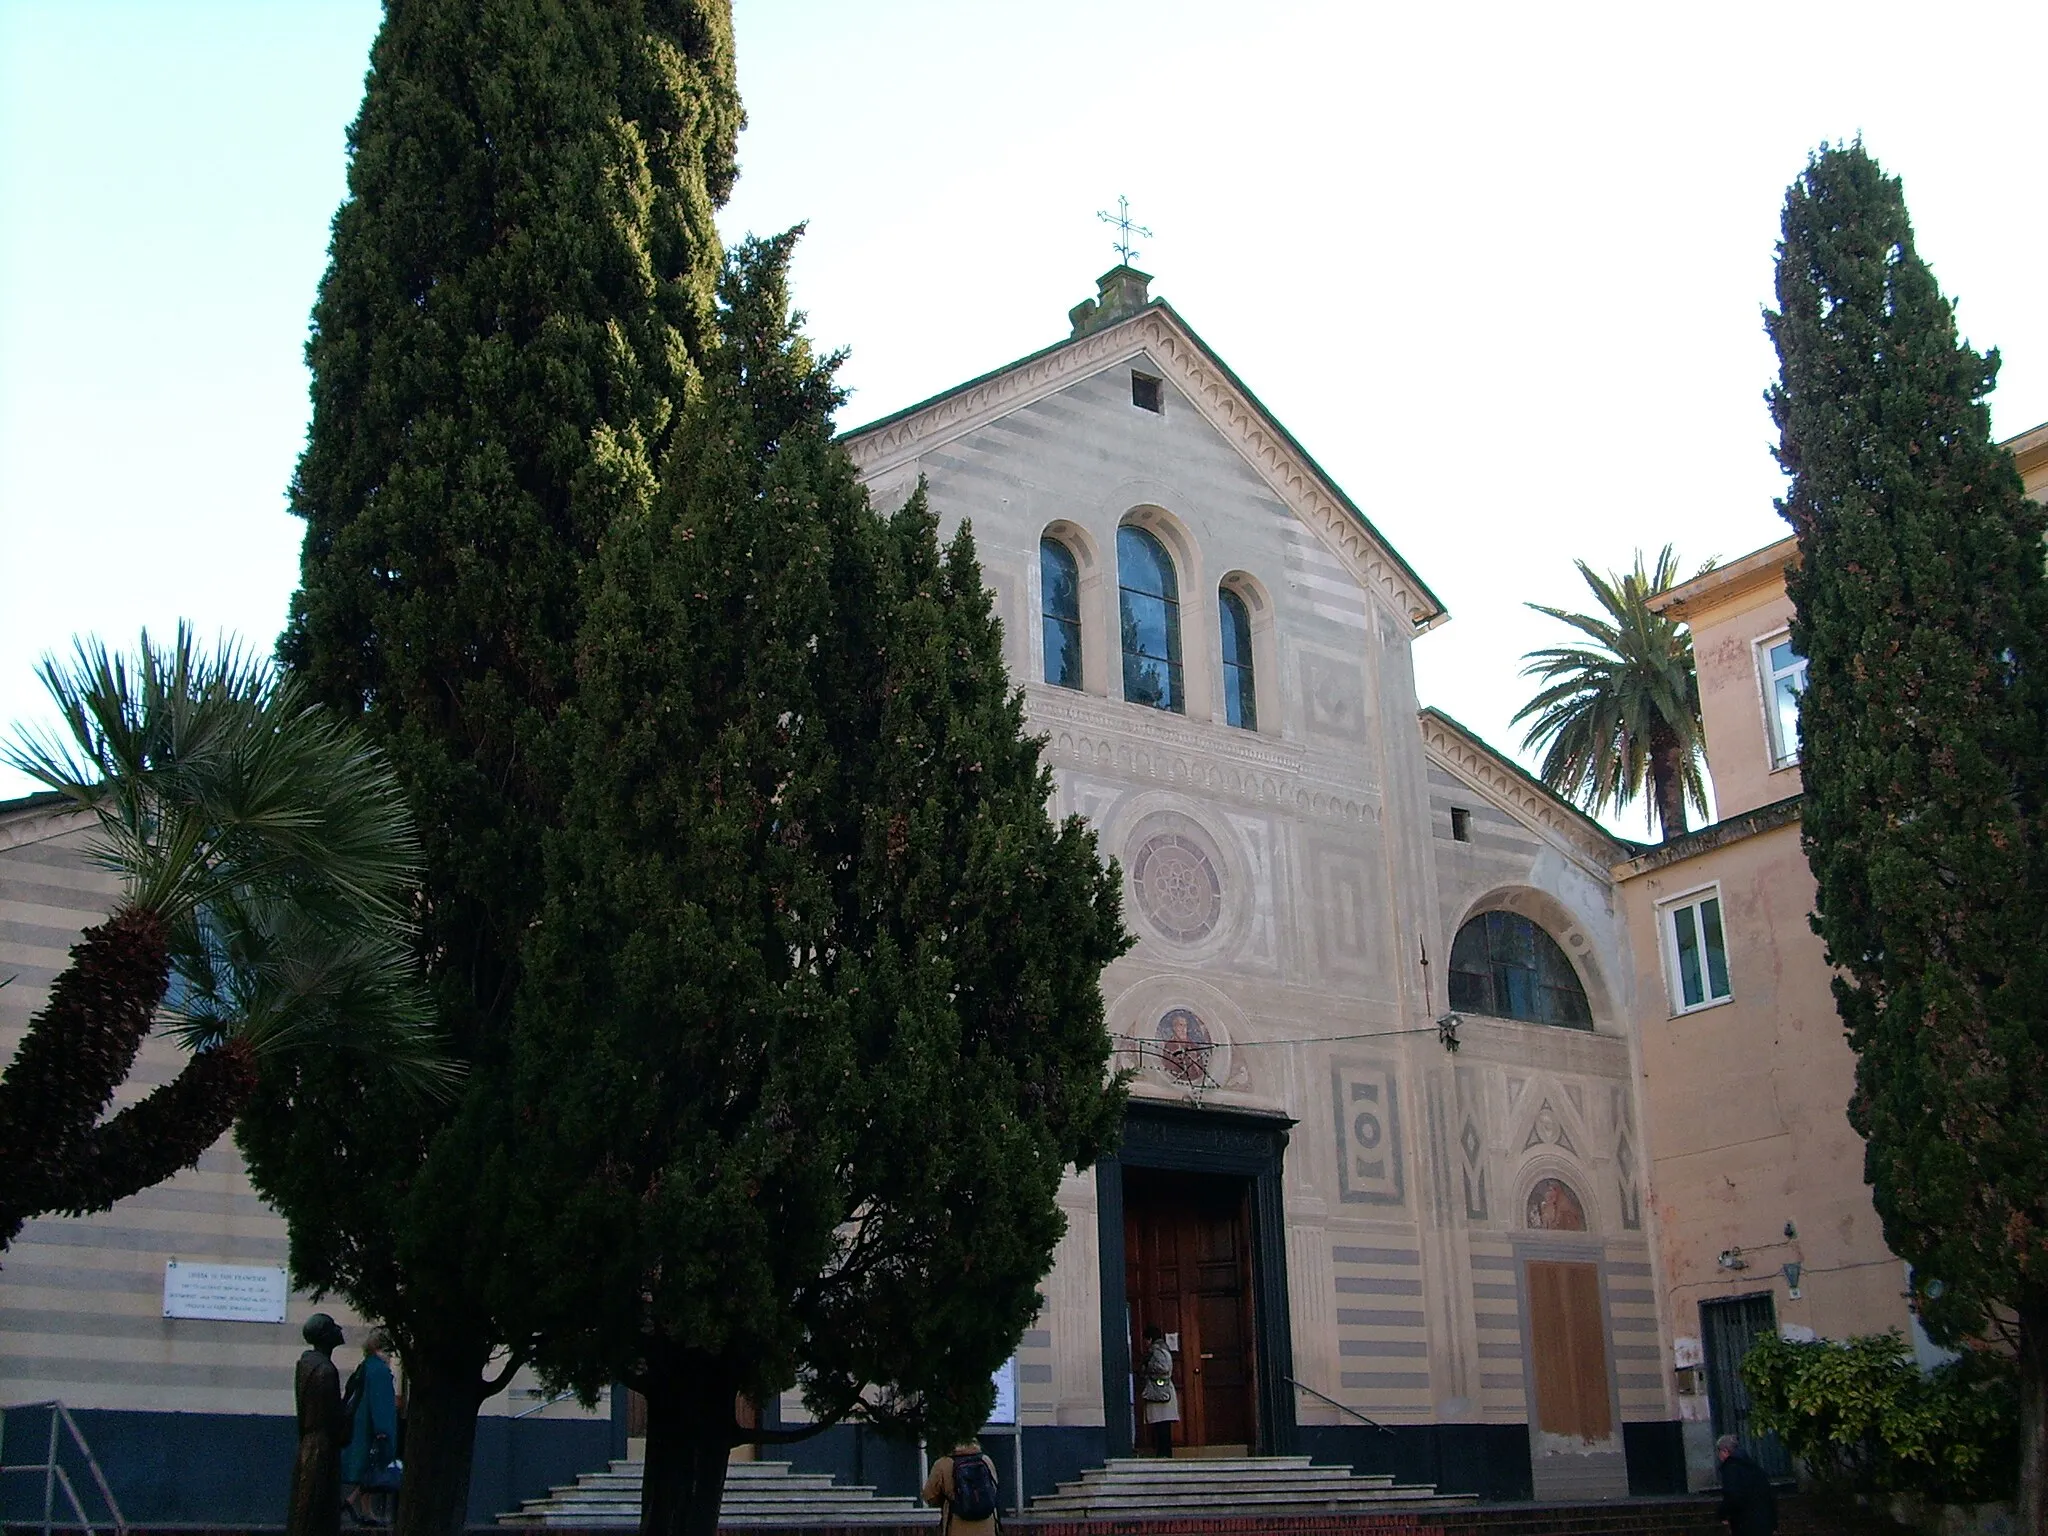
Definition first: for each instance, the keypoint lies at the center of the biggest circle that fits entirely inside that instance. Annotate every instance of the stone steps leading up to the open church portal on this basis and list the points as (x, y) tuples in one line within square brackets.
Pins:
[(1148, 1488)]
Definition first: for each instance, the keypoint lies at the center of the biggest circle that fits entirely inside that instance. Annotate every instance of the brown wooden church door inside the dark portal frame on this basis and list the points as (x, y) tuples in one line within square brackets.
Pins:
[(1189, 1271)]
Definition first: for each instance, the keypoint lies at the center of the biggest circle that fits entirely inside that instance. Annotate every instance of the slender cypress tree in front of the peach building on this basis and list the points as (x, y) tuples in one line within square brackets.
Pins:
[(1922, 609)]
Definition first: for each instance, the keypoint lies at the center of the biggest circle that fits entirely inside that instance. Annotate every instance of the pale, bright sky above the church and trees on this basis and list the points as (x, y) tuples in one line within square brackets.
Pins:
[(1498, 267)]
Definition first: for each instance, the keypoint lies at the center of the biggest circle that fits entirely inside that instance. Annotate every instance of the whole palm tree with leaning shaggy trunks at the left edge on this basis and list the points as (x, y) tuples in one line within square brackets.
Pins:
[(265, 863)]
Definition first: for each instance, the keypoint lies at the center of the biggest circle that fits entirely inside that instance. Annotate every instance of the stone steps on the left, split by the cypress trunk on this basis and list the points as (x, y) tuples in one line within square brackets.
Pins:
[(757, 1494)]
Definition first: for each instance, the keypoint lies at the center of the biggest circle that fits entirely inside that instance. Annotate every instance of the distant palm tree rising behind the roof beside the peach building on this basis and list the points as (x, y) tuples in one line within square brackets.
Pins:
[(1625, 706)]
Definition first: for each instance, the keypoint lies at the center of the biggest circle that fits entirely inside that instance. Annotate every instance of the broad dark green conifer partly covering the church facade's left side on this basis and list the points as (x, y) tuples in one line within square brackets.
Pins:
[(814, 1017)]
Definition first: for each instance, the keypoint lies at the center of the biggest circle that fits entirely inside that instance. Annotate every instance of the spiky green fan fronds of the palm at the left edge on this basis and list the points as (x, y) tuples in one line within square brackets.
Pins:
[(267, 835)]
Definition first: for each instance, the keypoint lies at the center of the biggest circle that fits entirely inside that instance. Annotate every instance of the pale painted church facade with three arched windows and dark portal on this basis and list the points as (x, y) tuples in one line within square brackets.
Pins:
[(1369, 1246)]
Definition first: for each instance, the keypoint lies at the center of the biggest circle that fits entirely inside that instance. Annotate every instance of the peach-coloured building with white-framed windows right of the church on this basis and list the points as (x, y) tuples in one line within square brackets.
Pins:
[(1762, 1213)]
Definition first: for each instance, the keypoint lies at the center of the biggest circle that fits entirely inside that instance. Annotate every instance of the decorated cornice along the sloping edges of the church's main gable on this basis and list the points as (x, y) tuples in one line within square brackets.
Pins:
[(1187, 361)]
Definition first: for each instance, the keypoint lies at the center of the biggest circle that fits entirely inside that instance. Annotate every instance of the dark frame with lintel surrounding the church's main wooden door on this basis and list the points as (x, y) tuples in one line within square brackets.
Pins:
[(1234, 1144)]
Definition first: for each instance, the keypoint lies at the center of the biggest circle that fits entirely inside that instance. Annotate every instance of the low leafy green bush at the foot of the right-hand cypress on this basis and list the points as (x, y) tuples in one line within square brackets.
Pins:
[(1867, 1420)]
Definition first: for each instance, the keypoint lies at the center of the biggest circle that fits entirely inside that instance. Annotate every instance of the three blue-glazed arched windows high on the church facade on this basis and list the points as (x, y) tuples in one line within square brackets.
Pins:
[(1148, 611)]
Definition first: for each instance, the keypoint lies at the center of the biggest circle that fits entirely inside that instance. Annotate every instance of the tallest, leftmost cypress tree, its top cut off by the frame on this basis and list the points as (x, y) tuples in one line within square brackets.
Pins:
[(519, 288)]
